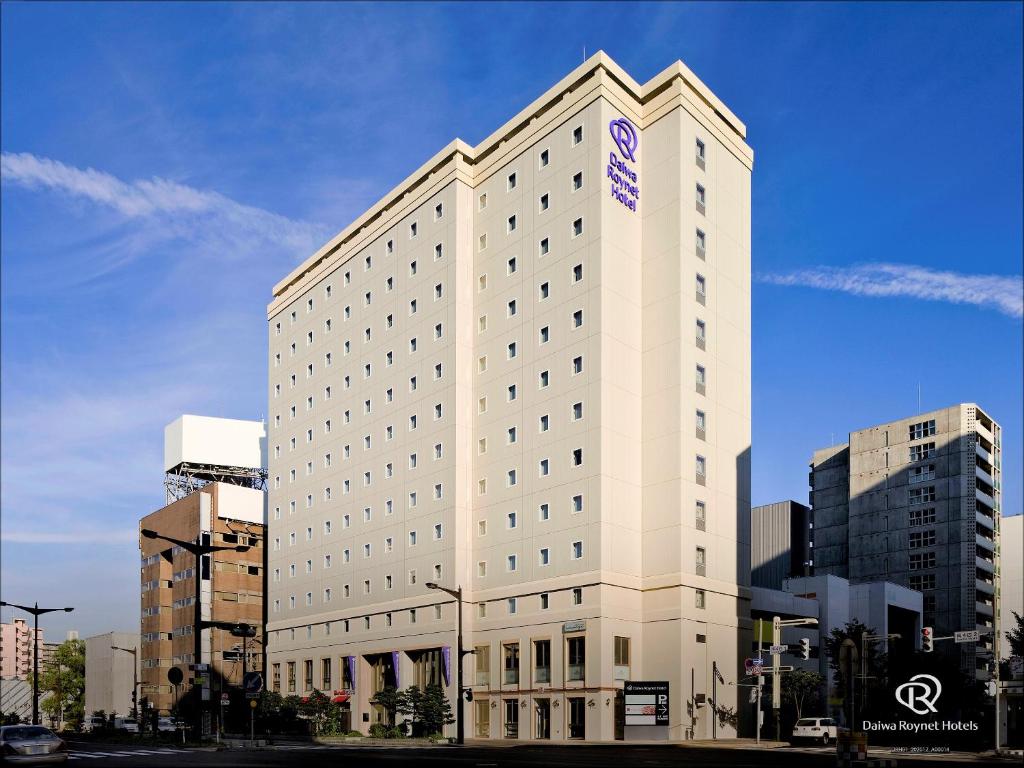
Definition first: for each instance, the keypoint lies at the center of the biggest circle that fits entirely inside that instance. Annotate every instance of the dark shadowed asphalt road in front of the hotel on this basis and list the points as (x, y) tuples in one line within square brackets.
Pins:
[(478, 756)]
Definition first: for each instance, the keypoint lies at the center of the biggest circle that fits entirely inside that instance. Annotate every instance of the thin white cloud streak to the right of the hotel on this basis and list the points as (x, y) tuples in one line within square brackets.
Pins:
[(1003, 293)]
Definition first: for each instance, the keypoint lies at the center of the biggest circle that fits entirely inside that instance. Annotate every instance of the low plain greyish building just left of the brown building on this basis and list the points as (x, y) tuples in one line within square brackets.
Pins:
[(110, 674)]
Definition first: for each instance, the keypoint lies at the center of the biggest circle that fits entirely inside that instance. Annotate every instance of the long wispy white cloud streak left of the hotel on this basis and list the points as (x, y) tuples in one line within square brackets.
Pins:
[(252, 227)]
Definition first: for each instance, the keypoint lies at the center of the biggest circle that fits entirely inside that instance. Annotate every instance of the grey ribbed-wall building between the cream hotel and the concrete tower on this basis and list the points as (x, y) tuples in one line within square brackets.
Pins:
[(781, 543)]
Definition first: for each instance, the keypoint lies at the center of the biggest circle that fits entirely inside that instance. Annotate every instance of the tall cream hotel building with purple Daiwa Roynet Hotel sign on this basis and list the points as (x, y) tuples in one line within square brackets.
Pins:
[(526, 372)]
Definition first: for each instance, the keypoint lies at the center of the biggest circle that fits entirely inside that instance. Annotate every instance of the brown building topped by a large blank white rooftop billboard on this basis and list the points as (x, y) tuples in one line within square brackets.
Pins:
[(215, 486)]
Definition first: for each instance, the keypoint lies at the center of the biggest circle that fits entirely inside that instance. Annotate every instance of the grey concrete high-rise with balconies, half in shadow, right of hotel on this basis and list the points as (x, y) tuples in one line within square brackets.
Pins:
[(917, 502)]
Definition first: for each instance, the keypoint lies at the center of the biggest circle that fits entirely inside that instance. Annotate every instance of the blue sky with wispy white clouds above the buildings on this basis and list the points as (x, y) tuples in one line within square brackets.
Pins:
[(165, 165)]
